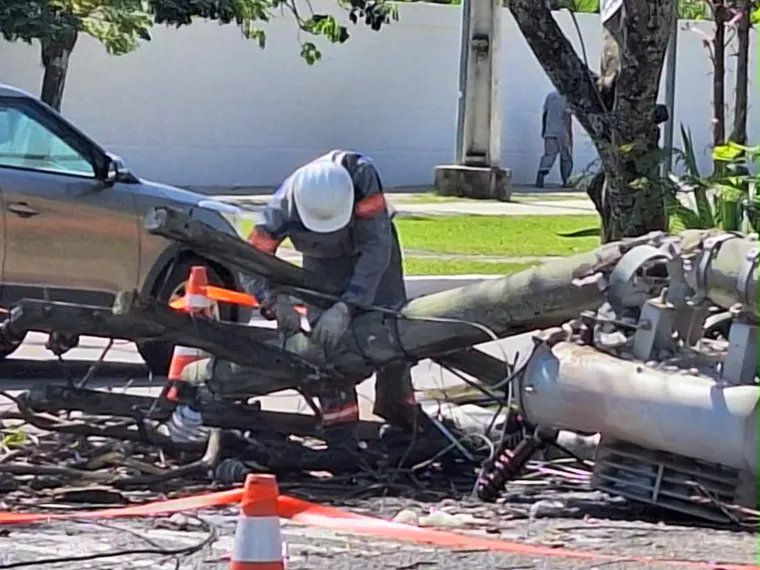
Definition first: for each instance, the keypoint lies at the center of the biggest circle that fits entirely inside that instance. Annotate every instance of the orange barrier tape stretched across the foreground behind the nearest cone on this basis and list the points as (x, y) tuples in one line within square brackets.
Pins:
[(334, 519)]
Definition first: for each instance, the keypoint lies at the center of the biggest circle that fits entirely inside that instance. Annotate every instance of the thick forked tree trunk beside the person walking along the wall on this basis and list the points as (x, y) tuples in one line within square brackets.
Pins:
[(617, 109)]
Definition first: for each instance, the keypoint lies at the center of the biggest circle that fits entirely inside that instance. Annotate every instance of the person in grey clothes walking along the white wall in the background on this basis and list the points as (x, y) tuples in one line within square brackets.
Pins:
[(557, 132)]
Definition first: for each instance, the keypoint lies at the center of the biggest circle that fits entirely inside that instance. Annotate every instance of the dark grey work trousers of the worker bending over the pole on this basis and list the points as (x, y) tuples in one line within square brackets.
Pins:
[(394, 392)]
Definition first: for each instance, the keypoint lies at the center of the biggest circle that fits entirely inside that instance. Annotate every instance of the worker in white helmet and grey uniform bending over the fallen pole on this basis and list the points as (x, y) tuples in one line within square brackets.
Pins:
[(334, 211)]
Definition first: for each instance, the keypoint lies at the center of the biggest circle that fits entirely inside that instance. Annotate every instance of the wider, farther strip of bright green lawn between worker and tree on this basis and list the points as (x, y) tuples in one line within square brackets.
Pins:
[(507, 236)]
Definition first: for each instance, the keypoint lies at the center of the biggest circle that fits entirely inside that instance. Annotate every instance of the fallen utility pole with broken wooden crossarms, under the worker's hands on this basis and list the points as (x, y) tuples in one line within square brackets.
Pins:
[(429, 326)]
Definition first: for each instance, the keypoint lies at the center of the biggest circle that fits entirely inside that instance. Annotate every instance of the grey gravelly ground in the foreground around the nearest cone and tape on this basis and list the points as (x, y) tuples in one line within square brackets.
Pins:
[(559, 519)]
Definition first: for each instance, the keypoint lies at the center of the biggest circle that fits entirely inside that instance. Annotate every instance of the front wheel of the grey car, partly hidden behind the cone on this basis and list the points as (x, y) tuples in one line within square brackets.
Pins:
[(157, 356)]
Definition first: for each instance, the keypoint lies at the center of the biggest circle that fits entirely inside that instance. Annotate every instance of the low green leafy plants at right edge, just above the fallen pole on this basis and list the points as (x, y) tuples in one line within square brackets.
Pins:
[(718, 200)]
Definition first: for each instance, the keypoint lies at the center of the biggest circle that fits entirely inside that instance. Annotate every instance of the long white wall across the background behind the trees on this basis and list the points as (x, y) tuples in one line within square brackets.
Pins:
[(203, 106)]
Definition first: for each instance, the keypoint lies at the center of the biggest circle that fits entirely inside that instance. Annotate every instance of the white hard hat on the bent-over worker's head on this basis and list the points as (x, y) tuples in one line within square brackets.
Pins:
[(323, 192)]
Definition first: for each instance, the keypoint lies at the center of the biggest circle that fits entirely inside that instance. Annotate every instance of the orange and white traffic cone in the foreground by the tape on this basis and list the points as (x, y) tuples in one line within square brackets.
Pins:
[(258, 539)]
